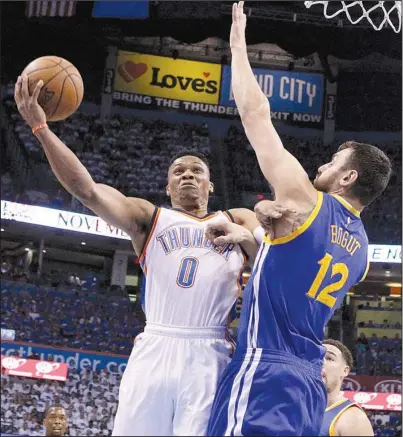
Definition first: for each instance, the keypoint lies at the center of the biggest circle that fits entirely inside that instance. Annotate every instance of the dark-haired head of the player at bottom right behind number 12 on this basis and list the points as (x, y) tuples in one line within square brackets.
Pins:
[(337, 364)]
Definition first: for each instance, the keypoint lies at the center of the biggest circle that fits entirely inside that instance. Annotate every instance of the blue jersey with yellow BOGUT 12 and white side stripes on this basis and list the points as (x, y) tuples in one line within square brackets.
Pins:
[(299, 280)]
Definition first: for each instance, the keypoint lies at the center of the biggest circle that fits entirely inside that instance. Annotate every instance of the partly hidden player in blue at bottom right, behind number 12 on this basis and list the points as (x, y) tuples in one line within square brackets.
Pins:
[(342, 417)]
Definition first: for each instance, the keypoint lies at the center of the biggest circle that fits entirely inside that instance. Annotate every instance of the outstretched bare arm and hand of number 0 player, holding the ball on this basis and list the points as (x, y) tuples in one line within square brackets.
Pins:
[(132, 215)]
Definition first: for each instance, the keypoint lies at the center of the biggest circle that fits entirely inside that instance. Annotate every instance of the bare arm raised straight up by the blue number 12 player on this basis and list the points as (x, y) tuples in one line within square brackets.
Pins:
[(289, 180)]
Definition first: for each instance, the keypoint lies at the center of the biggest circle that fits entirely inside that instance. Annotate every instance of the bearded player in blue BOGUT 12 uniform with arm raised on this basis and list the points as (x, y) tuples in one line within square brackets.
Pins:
[(273, 385)]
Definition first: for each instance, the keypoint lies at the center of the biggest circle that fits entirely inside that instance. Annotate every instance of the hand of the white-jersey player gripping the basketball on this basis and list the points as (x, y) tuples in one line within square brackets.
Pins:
[(27, 104)]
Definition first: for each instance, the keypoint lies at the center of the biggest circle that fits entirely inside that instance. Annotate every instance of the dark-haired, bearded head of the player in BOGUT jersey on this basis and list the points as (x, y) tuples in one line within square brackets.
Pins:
[(360, 171)]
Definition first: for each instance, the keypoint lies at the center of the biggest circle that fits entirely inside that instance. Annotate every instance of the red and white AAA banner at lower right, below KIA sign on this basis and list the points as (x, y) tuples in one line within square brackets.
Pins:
[(375, 401)]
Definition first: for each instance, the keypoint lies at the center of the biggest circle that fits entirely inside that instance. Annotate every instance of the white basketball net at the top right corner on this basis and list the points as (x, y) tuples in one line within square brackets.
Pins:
[(394, 11)]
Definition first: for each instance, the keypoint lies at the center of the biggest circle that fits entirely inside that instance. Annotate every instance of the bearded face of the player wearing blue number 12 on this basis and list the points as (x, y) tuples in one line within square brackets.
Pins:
[(336, 175)]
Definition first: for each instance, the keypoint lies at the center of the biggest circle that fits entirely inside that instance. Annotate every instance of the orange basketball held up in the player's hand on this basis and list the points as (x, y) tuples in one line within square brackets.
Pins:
[(63, 87)]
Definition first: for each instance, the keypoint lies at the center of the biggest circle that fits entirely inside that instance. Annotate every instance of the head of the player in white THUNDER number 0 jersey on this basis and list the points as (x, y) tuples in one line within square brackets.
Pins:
[(189, 183)]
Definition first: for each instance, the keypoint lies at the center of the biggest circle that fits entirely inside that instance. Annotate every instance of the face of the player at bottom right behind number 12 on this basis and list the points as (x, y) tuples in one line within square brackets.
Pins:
[(334, 368)]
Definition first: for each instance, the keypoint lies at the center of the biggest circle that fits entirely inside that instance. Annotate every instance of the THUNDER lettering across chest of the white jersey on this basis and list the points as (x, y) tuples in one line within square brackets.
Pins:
[(186, 237)]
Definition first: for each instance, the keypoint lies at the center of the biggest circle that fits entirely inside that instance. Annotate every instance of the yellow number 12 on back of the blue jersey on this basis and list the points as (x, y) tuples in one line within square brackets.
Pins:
[(324, 295)]
